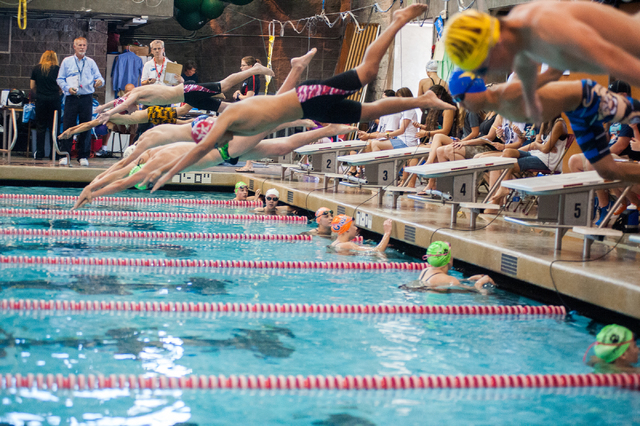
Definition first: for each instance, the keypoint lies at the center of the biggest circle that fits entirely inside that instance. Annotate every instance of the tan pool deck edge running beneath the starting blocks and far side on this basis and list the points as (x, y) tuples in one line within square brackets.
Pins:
[(509, 249)]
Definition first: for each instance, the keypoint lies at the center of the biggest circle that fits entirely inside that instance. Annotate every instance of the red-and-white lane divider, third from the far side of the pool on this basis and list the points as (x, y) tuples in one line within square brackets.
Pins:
[(144, 235)]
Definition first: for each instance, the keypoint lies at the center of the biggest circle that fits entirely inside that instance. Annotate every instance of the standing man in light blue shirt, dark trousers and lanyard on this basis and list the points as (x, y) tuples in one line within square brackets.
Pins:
[(78, 78)]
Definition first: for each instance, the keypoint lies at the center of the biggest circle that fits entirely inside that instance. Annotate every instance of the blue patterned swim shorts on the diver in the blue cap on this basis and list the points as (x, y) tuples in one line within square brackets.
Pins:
[(599, 106)]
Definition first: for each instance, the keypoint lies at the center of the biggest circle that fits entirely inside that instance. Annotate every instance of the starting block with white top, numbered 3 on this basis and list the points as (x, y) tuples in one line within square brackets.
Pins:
[(382, 167)]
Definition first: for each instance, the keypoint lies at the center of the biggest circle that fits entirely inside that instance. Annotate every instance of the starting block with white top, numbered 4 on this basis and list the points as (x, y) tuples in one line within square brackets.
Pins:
[(459, 181)]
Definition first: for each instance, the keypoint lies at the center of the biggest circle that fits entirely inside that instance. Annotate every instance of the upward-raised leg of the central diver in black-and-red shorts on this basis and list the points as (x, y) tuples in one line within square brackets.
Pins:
[(368, 69)]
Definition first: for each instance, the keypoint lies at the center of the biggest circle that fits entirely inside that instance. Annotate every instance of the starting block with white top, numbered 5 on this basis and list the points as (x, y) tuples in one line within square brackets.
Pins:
[(565, 202)]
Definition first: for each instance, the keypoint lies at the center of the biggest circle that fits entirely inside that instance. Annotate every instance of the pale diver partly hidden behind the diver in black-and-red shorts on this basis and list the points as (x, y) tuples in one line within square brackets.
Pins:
[(157, 160)]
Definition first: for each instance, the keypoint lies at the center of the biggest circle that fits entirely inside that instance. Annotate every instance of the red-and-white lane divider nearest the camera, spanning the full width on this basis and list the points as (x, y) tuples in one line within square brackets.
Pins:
[(300, 382)]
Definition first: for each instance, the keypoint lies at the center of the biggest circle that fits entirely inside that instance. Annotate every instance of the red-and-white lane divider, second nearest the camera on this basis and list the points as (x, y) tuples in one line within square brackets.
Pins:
[(291, 308)]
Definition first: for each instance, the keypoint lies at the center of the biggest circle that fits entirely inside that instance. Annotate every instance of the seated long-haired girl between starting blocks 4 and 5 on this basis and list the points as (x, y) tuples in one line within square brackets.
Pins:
[(544, 155)]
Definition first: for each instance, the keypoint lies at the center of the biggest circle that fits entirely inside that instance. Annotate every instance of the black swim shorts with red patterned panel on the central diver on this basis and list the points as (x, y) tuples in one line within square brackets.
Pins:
[(325, 101)]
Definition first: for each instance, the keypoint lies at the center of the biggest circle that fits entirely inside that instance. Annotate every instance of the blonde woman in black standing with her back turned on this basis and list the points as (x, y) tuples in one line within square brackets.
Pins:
[(43, 81)]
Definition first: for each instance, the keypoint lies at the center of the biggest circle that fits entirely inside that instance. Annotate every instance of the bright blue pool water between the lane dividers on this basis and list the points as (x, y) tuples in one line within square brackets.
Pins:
[(181, 344)]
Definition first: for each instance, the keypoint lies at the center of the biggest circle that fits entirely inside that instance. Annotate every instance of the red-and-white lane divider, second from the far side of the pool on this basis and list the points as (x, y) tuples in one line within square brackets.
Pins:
[(90, 214)]
